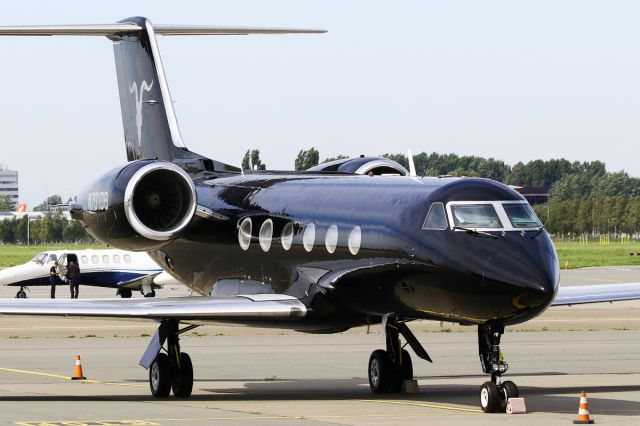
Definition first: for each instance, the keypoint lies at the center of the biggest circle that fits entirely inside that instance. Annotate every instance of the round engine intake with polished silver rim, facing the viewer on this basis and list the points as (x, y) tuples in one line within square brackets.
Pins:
[(159, 201)]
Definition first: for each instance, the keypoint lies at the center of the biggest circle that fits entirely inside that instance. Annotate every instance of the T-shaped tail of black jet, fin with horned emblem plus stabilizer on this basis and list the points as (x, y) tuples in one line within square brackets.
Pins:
[(150, 124)]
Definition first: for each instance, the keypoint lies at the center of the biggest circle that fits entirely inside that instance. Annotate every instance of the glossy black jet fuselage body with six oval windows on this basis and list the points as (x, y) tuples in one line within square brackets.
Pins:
[(398, 269)]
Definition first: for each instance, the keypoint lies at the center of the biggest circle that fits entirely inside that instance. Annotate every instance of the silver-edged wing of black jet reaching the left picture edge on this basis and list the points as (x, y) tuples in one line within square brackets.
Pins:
[(239, 308)]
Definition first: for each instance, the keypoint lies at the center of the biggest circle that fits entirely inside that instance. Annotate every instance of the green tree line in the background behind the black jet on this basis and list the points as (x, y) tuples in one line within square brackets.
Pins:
[(584, 198)]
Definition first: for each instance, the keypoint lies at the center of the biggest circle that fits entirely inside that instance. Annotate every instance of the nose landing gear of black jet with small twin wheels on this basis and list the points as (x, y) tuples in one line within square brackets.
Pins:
[(494, 394)]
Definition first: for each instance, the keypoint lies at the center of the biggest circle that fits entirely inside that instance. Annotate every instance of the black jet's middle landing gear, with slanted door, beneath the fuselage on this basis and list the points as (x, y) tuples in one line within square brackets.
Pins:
[(389, 368)]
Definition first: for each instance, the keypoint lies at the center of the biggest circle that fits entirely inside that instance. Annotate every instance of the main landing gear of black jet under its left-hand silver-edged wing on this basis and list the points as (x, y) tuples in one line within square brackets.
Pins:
[(170, 370)]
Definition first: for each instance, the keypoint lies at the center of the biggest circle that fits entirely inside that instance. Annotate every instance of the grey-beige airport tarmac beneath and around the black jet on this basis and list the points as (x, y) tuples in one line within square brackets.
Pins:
[(264, 377)]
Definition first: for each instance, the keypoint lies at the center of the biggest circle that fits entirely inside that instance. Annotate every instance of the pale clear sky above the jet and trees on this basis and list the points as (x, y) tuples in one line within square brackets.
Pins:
[(513, 80)]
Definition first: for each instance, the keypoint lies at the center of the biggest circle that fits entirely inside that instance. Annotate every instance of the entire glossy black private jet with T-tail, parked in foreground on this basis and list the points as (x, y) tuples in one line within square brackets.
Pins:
[(353, 243)]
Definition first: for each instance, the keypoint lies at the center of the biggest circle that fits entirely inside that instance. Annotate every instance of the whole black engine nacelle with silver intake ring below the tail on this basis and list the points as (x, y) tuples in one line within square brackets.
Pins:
[(140, 206)]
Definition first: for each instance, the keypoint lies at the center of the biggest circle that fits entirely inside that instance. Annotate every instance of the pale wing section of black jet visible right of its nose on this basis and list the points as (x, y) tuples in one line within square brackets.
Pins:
[(574, 295)]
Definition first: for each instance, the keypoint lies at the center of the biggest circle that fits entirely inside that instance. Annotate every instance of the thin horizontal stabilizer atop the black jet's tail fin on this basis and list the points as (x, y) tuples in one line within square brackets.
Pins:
[(124, 28)]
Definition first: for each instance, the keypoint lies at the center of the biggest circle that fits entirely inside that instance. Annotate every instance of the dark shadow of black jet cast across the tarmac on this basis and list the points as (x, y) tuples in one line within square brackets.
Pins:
[(538, 399)]
